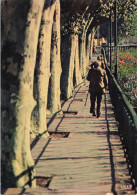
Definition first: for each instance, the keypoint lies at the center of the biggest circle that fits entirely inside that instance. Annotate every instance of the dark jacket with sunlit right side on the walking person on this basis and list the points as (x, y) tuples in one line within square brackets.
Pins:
[(98, 80)]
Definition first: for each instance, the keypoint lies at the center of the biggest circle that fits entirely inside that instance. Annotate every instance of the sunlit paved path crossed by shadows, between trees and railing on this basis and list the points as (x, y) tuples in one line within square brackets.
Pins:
[(84, 155)]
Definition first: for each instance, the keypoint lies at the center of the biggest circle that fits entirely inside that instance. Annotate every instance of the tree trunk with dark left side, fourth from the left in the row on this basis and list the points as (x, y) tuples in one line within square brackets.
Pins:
[(68, 56)]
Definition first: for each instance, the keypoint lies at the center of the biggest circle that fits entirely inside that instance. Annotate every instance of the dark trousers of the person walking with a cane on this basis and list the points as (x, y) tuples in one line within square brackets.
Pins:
[(93, 97)]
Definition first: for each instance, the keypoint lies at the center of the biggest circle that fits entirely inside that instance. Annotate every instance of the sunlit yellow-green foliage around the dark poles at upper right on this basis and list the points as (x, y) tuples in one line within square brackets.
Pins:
[(126, 16)]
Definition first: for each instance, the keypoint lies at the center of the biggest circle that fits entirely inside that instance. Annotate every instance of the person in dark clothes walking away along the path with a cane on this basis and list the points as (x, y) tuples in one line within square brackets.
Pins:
[(98, 83)]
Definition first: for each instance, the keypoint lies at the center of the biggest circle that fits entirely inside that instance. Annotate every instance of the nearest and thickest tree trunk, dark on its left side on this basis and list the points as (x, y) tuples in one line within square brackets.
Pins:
[(21, 22)]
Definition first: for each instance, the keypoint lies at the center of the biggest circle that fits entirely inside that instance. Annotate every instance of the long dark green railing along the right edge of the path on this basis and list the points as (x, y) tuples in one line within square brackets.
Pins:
[(127, 118)]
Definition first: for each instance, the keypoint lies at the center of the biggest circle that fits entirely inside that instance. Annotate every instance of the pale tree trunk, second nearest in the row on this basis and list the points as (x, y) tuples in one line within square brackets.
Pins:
[(39, 122)]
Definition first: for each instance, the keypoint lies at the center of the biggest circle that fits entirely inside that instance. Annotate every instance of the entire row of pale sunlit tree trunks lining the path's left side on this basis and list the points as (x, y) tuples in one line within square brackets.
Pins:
[(37, 69)]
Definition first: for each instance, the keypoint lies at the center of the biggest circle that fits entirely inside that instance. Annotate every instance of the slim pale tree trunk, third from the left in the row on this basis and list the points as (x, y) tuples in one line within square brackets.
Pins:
[(55, 64)]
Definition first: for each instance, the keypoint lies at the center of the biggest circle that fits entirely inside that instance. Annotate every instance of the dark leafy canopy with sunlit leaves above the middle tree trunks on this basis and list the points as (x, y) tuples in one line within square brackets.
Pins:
[(75, 17)]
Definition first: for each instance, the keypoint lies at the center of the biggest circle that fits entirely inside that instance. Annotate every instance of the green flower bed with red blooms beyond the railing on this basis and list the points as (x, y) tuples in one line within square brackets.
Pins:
[(127, 74)]
